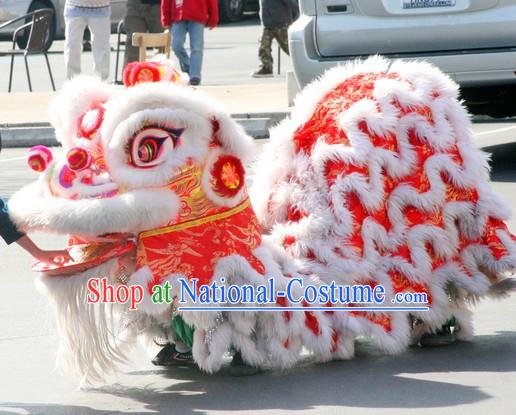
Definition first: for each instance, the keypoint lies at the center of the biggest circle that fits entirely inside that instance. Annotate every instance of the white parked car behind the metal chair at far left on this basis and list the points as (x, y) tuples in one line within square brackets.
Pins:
[(10, 9)]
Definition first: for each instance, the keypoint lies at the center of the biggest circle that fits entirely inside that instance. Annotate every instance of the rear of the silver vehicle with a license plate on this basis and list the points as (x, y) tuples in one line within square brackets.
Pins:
[(474, 41)]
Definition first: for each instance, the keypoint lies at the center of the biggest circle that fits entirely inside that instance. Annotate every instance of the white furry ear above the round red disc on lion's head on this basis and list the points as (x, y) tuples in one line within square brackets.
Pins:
[(231, 137)]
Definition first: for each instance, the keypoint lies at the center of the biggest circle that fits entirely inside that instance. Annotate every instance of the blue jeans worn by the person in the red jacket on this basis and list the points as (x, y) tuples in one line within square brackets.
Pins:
[(190, 64)]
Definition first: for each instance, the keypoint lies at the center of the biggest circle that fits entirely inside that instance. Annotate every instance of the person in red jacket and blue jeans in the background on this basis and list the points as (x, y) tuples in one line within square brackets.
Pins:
[(189, 16)]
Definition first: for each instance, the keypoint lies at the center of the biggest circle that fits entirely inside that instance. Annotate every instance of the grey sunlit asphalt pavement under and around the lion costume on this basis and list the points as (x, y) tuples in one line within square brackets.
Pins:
[(465, 378)]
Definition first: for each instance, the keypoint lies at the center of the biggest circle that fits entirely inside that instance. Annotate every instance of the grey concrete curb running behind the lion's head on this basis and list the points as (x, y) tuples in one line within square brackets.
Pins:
[(257, 125)]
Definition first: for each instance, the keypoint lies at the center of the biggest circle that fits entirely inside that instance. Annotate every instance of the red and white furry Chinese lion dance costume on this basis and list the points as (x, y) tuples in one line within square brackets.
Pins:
[(373, 179)]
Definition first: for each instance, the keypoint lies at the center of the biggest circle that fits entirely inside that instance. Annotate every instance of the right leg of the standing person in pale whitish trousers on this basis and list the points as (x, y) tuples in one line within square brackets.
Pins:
[(100, 28)]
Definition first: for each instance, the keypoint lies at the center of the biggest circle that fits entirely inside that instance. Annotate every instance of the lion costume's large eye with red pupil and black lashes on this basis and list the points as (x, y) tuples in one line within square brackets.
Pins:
[(150, 146)]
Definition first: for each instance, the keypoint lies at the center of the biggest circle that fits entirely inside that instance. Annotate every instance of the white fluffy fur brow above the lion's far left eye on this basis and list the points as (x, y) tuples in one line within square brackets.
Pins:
[(76, 98)]
